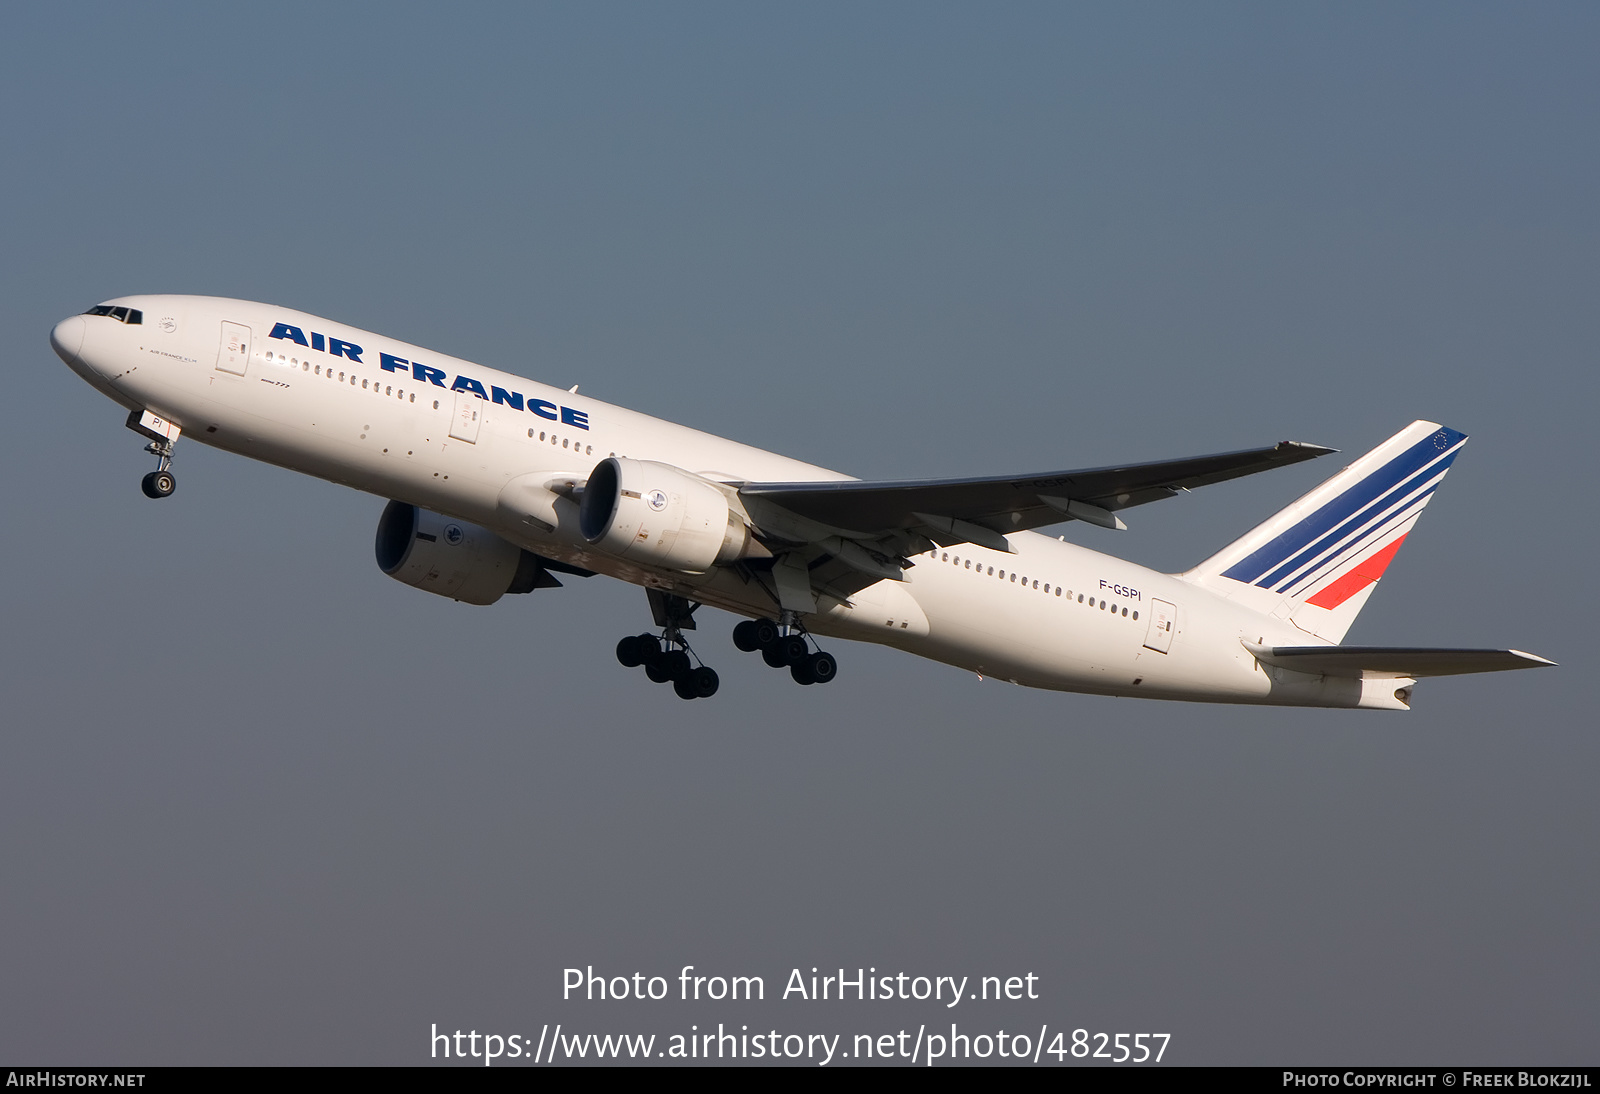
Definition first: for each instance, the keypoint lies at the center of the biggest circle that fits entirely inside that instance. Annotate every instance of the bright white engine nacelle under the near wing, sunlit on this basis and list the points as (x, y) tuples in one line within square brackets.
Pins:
[(660, 516)]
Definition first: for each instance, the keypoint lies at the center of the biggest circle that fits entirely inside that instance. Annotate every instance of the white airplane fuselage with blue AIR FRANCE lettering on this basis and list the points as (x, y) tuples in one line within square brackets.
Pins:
[(380, 415)]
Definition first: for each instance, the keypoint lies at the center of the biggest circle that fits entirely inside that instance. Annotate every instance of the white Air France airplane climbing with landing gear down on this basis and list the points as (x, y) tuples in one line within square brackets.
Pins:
[(498, 484)]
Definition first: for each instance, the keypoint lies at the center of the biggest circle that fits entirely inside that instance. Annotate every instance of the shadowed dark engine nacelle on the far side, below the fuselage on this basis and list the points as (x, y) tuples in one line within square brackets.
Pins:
[(452, 557)]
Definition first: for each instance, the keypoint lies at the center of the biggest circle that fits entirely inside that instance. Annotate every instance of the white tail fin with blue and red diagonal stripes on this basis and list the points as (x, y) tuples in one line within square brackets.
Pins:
[(1318, 562)]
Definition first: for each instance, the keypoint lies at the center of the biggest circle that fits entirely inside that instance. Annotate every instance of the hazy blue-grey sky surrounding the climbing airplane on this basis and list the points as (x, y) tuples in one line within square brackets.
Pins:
[(260, 804)]
